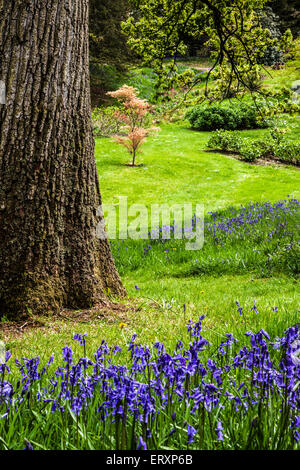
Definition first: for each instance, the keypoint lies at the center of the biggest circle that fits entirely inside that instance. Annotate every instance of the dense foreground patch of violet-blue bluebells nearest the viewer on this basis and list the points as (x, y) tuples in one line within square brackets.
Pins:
[(195, 394)]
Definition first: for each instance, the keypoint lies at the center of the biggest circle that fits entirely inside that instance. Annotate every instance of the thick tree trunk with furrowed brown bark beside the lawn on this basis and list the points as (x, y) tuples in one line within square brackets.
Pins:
[(50, 256)]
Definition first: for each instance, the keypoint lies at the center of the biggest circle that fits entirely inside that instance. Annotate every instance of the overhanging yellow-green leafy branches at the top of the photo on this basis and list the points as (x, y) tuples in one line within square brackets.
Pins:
[(237, 38)]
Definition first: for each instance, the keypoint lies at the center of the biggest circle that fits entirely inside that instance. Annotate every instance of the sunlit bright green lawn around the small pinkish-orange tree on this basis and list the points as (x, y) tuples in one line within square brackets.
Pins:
[(176, 169)]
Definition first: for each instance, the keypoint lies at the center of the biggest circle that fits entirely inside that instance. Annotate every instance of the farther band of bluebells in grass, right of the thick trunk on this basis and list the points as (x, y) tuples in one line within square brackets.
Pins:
[(255, 231)]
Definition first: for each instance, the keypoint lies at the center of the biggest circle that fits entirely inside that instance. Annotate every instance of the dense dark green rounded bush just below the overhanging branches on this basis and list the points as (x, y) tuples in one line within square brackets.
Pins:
[(225, 116)]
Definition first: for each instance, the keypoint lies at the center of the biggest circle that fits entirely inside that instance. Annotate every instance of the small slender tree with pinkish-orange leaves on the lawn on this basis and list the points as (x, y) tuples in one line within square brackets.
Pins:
[(134, 114)]
